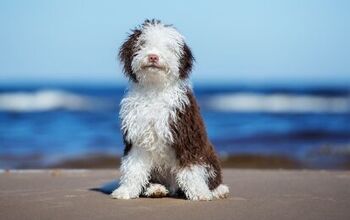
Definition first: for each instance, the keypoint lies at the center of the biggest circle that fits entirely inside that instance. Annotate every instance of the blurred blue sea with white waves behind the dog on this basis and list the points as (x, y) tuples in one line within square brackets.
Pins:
[(44, 125)]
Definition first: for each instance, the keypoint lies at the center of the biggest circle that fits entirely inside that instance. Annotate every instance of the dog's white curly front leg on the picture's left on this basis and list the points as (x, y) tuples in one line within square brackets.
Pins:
[(135, 172)]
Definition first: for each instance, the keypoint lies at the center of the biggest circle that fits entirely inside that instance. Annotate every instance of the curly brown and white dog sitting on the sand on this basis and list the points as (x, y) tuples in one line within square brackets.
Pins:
[(167, 151)]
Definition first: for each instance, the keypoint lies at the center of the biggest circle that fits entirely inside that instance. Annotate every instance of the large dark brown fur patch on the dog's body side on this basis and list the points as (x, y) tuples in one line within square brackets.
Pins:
[(191, 142)]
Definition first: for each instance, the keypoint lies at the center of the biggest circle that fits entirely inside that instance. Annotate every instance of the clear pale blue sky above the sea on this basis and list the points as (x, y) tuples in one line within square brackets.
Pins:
[(238, 42)]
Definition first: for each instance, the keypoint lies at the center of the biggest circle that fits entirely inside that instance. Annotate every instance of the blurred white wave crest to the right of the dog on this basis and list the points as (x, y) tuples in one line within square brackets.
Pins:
[(279, 103)]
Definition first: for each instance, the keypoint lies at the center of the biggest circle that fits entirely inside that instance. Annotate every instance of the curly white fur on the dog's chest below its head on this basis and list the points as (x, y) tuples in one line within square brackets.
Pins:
[(147, 112)]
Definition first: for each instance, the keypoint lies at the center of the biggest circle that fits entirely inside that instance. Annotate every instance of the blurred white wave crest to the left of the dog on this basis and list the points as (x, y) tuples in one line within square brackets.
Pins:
[(47, 100)]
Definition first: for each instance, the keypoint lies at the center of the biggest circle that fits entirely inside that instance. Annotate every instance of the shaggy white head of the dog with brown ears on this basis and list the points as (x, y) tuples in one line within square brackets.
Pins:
[(156, 54)]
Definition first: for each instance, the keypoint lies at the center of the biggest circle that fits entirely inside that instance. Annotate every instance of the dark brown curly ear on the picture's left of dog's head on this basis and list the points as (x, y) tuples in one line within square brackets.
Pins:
[(127, 52)]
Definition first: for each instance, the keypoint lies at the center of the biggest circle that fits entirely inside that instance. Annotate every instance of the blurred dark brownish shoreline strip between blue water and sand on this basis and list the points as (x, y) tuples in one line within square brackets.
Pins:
[(111, 161)]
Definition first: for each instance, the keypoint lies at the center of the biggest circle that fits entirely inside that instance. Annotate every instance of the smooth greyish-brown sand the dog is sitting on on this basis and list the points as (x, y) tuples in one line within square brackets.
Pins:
[(255, 194)]
